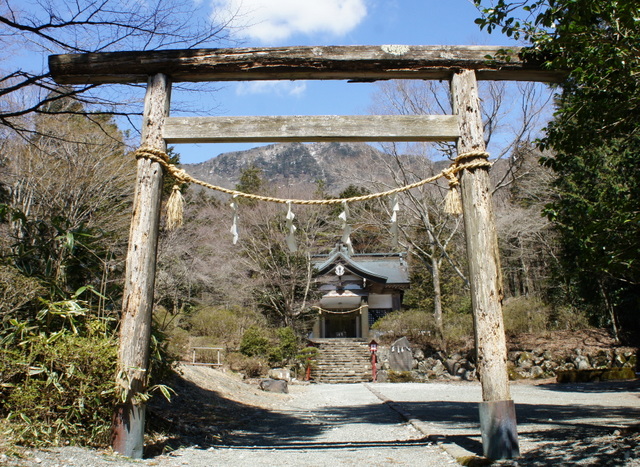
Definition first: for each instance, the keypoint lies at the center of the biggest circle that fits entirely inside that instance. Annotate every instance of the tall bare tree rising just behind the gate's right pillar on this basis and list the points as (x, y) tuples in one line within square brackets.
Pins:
[(507, 127)]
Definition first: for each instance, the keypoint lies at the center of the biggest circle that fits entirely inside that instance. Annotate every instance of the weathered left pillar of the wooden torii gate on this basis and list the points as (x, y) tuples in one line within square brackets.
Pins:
[(135, 325)]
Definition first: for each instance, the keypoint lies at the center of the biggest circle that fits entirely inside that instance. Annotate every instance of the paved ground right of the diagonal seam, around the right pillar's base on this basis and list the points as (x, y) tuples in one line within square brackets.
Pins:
[(558, 424)]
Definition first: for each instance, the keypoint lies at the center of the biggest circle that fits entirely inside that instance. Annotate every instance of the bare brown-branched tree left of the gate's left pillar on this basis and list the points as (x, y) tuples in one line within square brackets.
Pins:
[(68, 189)]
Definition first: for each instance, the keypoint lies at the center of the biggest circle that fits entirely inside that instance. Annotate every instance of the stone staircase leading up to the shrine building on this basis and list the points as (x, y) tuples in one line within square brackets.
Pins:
[(342, 361)]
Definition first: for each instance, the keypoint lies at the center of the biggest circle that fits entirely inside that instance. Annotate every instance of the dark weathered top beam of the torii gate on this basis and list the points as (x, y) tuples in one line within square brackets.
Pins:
[(356, 63)]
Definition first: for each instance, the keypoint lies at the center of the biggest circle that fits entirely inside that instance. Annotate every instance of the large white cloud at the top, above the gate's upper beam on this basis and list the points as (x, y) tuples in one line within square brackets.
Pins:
[(270, 21)]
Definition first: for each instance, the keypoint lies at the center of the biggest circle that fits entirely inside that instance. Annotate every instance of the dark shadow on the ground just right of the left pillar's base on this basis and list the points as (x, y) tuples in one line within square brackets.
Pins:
[(204, 418)]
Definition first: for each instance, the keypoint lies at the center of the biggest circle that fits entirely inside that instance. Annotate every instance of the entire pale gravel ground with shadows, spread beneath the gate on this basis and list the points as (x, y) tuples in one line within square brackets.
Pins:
[(589, 424)]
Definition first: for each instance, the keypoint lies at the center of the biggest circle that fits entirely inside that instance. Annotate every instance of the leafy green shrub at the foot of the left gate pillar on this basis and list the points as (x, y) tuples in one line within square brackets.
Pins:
[(57, 375)]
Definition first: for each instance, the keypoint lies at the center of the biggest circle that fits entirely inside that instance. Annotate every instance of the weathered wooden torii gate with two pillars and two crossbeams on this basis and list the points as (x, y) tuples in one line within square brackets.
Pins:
[(461, 65)]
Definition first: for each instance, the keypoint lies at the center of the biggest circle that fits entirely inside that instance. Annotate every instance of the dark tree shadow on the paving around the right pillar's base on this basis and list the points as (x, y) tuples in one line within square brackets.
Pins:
[(560, 434)]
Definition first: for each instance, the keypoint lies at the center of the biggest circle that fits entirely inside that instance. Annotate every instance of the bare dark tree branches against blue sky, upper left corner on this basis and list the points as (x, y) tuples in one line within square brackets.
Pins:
[(32, 29)]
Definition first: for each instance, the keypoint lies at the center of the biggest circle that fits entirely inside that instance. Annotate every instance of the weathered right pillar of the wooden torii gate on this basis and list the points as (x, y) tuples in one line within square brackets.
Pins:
[(497, 410)]
